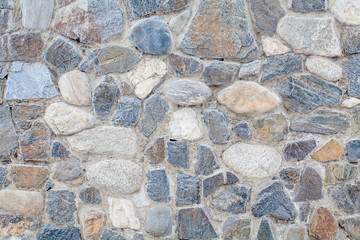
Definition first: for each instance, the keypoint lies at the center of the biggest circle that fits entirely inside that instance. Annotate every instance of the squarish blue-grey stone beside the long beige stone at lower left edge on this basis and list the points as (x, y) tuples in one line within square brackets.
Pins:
[(61, 205)]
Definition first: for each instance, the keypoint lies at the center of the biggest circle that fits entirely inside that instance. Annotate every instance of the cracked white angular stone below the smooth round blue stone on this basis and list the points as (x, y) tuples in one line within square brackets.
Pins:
[(146, 76)]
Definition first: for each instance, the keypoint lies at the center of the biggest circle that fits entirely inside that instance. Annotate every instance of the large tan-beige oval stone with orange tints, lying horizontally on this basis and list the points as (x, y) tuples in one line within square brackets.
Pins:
[(248, 97)]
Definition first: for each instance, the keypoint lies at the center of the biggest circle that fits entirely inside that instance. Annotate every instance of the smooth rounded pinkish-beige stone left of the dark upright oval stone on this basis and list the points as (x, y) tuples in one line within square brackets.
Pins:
[(74, 88)]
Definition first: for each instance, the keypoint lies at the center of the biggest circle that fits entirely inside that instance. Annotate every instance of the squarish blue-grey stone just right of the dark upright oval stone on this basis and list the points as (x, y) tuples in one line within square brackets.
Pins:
[(128, 112)]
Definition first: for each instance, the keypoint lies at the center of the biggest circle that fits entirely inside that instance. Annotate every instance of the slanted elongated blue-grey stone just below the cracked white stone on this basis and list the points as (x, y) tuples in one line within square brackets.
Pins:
[(156, 109)]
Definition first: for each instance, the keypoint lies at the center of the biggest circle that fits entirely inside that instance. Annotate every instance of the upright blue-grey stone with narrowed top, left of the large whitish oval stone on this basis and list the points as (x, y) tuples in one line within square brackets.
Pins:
[(206, 161)]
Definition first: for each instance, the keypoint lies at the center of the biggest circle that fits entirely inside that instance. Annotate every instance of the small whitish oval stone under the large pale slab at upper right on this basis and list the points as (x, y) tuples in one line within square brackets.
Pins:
[(324, 68)]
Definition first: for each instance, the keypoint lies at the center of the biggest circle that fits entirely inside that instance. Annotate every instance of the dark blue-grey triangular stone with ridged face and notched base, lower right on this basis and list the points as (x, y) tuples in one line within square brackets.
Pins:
[(273, 201)]
